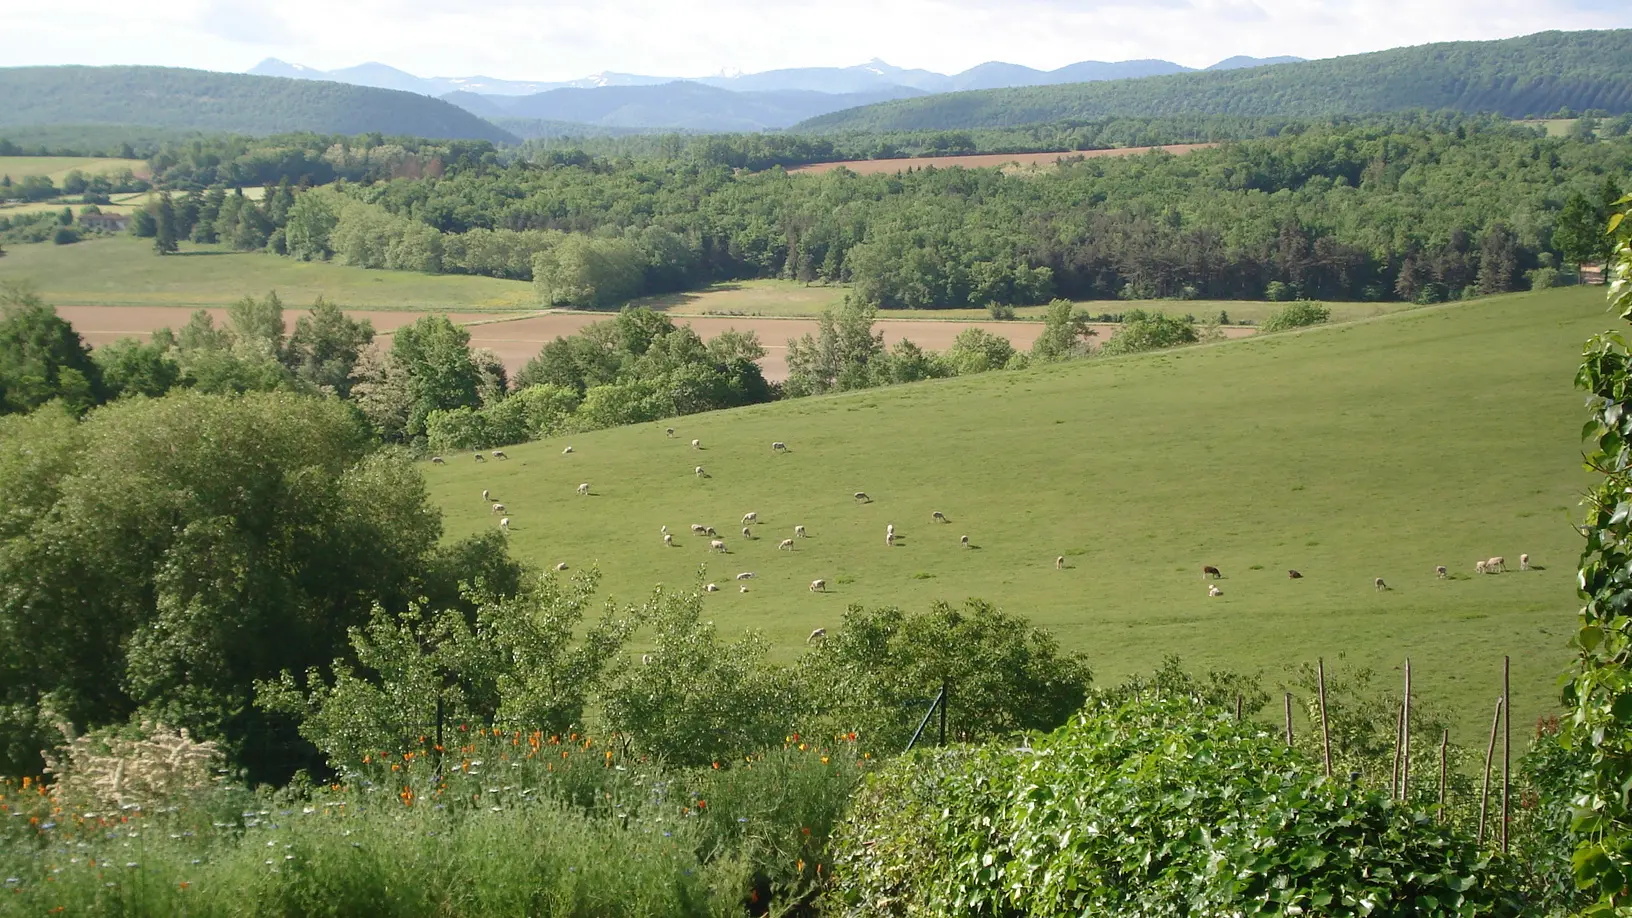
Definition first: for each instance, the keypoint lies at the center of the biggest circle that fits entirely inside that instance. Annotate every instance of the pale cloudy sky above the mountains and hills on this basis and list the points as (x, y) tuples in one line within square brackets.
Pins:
[(520, 40)]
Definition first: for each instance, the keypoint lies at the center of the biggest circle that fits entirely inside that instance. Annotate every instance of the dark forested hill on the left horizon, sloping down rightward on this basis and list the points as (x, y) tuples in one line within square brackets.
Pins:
[(200, 100)]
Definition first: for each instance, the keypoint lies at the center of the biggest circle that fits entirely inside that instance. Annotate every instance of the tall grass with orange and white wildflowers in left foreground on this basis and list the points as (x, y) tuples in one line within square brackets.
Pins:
[(507, 824)]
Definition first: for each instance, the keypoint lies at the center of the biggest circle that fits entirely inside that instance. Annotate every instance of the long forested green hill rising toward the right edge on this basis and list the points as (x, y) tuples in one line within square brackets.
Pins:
[(1517, 78)]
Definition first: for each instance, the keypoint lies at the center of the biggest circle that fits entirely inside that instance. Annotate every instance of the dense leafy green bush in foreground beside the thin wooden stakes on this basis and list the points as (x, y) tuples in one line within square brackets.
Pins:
[(1156, 808)]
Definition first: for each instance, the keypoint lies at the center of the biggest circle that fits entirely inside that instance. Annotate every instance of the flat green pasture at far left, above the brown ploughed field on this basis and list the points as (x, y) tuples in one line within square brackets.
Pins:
[(125, 272)]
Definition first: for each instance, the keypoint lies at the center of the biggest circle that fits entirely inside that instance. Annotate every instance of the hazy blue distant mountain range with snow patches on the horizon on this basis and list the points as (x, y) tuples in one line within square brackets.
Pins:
[(872, 78)]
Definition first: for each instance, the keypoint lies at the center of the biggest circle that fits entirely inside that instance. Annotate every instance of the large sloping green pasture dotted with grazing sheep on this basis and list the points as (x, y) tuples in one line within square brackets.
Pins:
[(1380, 448)]
